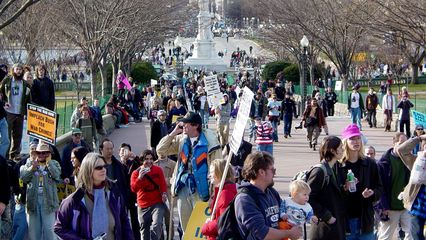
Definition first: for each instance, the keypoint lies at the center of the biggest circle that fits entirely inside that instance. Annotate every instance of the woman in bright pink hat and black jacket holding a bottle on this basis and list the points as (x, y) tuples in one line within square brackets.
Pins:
[(369, 188)]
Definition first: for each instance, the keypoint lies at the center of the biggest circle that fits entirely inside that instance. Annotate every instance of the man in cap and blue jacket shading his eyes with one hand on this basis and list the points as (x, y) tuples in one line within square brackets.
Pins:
[(195, 148)]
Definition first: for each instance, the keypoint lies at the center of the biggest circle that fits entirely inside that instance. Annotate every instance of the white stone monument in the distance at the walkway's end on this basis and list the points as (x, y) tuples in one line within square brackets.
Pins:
[(205, 55)]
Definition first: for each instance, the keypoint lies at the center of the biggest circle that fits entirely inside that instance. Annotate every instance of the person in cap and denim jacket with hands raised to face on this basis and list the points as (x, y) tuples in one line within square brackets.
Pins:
[(41, 175)]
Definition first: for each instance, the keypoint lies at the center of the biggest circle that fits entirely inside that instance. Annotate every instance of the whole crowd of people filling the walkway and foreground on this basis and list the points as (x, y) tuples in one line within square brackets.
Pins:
[(133, 196)]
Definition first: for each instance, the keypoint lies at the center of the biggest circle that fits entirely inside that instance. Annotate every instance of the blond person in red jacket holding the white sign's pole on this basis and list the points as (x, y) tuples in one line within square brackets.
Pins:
[(228, 193)]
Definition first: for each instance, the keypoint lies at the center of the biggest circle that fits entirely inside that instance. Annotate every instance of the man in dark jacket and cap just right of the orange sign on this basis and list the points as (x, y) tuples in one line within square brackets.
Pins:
[(66, 165)]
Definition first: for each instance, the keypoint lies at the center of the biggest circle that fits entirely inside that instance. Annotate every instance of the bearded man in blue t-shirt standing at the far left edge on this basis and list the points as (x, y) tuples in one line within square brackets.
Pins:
[(16, 94)]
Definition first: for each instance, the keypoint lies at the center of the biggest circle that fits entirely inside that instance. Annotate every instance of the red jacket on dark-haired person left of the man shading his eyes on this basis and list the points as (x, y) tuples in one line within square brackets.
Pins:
[(147, 193)]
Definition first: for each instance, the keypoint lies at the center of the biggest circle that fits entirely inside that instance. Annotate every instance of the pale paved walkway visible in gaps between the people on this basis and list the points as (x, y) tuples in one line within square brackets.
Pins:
[(291, 155)]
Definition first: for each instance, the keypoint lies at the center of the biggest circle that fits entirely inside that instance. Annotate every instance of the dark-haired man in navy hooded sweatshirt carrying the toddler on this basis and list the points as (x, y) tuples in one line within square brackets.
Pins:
[(257, 205)]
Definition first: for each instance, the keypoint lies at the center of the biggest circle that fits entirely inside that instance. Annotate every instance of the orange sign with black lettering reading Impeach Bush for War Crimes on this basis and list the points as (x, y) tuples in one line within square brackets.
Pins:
[(41, 123)]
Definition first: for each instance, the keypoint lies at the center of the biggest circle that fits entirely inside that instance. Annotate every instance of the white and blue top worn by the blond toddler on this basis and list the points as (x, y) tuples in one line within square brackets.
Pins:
[(296, 214)]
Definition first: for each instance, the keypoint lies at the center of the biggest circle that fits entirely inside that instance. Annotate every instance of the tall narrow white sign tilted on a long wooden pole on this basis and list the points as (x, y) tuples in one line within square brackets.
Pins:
[(242, 117)]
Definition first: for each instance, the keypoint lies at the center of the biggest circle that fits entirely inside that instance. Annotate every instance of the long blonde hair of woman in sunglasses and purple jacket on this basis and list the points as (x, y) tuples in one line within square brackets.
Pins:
[(87, 167)]
